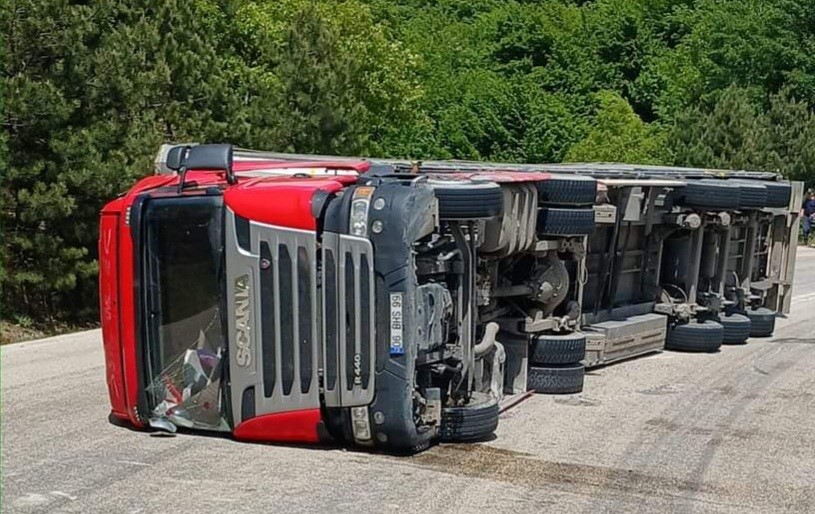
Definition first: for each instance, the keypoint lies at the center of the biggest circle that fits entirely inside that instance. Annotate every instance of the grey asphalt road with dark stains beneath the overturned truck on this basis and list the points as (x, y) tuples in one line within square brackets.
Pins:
[(733, 431)]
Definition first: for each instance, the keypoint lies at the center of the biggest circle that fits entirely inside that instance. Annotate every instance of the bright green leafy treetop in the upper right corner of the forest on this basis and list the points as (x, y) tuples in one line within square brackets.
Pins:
[(753, 44)]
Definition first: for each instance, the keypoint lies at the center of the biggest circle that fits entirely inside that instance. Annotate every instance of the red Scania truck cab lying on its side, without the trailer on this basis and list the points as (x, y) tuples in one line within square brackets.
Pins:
[(263, 299)]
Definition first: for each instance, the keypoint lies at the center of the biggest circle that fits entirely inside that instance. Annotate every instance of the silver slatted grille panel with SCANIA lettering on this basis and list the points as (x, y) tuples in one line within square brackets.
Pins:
[(283, 317)]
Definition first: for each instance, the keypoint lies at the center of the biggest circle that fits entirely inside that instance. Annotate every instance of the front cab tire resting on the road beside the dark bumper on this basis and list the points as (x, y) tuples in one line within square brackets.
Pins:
[(471, 422)]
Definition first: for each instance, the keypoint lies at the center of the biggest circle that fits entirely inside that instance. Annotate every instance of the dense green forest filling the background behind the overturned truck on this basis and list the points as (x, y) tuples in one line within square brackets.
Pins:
[(91, 88)]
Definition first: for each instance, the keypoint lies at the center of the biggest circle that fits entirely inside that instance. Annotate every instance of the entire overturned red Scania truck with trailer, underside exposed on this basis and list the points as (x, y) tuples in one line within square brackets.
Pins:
[(390, 304)]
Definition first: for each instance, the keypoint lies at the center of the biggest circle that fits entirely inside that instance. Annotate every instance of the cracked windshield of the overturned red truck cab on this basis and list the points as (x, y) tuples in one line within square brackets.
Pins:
[(185, 343)]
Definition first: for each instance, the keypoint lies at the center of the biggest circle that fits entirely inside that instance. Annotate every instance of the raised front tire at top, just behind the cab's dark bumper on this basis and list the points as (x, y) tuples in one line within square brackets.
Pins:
[(467, 200)]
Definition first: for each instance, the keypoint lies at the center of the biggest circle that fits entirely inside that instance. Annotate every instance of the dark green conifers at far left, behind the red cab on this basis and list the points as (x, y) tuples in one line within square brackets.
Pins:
[(91, 90)]
